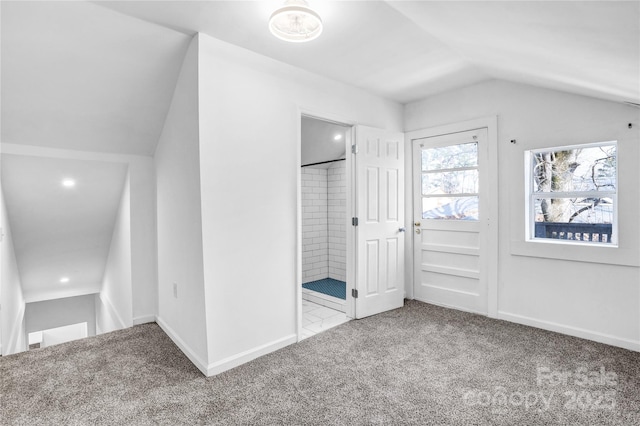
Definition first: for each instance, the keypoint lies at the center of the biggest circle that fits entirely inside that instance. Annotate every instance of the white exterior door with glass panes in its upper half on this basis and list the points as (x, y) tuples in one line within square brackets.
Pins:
[(449, 208)]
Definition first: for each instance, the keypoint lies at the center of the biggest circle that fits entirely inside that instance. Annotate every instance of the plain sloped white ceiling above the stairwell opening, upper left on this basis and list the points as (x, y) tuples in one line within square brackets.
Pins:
[(79, 76)]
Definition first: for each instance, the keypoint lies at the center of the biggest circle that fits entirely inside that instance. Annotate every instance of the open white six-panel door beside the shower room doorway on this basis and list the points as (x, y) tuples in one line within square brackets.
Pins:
[(379, 170)]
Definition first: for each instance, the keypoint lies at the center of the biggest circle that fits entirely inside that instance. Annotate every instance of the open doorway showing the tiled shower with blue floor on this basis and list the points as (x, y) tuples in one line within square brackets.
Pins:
[(324, 204)]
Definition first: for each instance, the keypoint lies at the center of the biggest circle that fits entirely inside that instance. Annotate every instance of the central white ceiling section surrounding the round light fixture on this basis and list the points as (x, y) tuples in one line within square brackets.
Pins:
[(367, 44)]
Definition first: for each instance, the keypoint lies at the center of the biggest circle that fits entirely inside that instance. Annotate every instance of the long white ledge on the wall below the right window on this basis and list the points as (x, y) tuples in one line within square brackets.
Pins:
[(576, 252)]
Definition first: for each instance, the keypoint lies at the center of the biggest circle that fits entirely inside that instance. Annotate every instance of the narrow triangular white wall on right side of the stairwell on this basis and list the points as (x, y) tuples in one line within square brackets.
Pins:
[(113, 303)]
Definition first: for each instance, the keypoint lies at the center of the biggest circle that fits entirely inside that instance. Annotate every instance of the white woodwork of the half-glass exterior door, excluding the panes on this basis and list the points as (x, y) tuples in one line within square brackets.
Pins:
[(450, 256)]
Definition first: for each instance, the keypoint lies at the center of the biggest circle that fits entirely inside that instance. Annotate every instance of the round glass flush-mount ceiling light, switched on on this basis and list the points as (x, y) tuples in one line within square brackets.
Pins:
[(295, 22)]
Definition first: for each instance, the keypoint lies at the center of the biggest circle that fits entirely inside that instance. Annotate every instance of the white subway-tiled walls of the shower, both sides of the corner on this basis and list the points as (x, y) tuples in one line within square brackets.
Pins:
[(324, 212)]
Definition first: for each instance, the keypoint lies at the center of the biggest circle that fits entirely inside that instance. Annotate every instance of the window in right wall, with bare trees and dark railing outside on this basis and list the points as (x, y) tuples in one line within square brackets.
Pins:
[(572, 195)]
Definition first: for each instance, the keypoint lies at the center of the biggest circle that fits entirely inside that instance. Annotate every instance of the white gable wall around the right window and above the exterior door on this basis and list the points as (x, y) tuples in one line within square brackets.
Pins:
[(600, 301)]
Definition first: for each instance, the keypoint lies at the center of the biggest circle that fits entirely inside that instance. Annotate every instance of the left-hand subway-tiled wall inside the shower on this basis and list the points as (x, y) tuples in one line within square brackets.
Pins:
[(315, 256)]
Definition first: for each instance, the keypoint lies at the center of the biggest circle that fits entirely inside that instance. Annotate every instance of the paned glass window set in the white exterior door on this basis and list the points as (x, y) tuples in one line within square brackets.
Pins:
[(450, 182)]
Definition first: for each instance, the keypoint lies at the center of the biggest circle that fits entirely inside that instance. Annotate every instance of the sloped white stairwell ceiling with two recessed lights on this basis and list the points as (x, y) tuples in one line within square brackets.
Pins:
[(57, 231)]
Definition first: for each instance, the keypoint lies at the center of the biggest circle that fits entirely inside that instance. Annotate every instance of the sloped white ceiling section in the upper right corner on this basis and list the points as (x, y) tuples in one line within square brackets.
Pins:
[(586, 47)]
